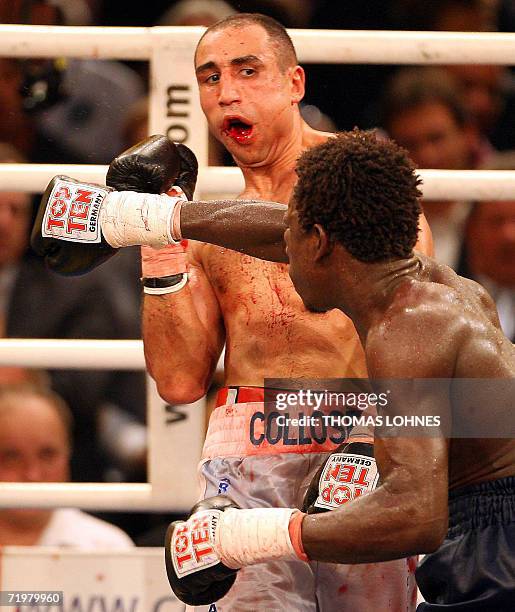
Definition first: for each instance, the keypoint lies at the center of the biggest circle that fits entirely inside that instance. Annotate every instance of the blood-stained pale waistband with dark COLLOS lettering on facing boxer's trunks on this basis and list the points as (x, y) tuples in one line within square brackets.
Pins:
[(250, 428)]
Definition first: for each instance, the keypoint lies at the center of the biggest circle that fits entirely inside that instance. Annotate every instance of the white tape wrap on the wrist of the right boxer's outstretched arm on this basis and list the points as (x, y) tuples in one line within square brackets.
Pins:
[(128, 218)]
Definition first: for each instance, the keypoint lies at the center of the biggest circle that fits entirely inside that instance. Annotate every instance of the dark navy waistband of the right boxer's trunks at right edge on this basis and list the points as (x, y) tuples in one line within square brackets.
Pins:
[(481, 505)]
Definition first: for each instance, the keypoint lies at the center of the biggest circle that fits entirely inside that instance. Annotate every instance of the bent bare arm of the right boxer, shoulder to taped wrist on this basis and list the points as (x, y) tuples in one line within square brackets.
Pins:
[(407, 513)]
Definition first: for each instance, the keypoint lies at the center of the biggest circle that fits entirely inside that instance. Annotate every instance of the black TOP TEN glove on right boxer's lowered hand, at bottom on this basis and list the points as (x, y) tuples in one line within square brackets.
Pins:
[(195, 572)]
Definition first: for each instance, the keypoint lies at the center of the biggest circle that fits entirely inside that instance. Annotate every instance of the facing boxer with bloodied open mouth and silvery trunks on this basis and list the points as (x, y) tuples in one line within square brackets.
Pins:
[(250, 87)]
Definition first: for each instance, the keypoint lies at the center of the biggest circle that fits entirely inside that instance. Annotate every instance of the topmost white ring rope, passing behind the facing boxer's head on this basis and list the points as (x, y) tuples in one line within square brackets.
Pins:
[(317, 46)]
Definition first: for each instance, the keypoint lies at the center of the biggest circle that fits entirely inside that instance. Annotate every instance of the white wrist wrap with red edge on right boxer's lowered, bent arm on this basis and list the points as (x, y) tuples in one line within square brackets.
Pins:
[(245, 537)]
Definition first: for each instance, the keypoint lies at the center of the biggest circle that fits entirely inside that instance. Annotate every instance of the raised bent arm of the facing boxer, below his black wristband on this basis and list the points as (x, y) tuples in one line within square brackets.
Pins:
[(183, 336)]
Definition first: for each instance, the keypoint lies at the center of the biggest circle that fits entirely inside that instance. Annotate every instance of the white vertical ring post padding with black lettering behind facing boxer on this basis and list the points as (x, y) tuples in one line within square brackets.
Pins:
[(176, 433)]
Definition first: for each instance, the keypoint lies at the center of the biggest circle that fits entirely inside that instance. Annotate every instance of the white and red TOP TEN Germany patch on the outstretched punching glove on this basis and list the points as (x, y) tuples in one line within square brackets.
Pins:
[(73, 213)]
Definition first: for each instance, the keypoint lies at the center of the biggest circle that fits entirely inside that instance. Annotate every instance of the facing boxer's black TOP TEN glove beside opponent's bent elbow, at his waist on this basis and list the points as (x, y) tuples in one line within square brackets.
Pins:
[(349, 472)]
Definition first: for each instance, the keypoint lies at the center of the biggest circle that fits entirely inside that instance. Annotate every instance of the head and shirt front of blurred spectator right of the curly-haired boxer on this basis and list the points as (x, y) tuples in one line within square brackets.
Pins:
[(423, 112)]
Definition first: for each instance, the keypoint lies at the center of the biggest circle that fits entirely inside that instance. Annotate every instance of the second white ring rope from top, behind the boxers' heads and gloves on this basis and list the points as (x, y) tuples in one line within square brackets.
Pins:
[(437, 184)]
